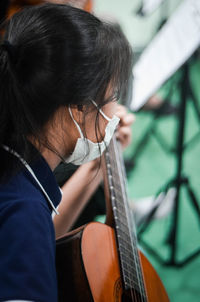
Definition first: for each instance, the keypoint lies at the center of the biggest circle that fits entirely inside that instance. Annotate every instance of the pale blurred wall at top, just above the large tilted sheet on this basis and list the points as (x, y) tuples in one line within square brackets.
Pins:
[(139, 30)]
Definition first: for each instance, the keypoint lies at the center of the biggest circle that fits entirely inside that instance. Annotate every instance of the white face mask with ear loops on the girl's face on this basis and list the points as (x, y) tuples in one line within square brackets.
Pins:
[(85, 150)]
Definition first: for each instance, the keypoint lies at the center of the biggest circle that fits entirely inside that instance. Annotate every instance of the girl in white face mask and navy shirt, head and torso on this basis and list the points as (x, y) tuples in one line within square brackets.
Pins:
[(61, 72)]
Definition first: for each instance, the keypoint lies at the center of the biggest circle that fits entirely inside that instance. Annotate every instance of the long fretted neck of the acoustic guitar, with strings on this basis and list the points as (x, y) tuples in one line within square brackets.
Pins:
[(123, 220)]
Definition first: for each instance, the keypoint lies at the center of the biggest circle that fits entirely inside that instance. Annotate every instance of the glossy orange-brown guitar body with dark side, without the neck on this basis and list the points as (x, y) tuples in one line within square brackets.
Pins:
[(91, 270)]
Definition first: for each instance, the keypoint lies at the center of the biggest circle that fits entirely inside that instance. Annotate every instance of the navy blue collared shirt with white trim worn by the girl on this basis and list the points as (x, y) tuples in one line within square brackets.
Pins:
[(27, 237)]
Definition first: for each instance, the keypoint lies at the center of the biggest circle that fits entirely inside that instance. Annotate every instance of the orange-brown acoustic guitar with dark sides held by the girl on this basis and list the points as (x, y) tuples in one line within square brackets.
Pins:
[(101, 262)]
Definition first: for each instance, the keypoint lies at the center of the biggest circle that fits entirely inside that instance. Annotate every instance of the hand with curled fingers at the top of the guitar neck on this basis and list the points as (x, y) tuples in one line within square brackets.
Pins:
[(124, 133)]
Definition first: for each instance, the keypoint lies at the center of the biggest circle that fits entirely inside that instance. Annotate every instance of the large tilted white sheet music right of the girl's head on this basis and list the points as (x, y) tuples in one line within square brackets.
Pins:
[(171, 47)]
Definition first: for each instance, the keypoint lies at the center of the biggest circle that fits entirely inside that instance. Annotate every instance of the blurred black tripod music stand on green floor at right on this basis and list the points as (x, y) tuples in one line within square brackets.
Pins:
[(178, 181)]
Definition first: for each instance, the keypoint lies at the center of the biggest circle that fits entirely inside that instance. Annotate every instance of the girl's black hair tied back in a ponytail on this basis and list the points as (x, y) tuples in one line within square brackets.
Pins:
[(51, 56)]
